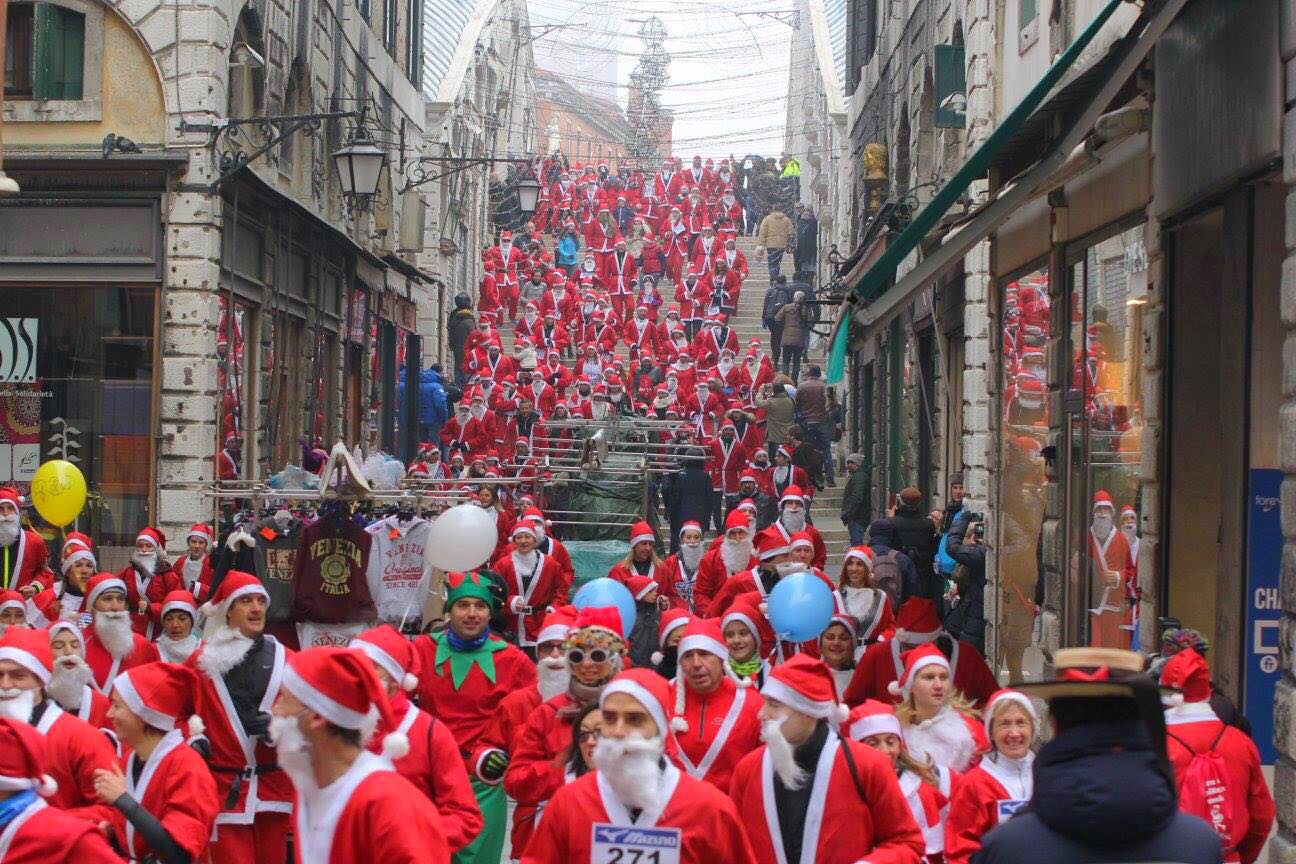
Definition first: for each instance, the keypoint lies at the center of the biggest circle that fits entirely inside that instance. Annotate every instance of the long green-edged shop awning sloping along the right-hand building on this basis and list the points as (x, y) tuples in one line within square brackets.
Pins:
[(882, 308)]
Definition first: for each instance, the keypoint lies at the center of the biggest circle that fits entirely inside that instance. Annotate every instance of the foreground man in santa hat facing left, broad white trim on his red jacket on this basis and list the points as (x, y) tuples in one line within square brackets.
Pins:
[(352, 805)]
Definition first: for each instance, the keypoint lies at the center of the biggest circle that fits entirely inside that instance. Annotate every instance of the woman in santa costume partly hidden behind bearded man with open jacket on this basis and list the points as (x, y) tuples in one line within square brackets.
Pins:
[(927, 788)]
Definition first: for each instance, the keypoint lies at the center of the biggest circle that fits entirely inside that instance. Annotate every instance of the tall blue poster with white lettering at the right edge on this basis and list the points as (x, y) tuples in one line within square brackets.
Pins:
[(1264, 608)]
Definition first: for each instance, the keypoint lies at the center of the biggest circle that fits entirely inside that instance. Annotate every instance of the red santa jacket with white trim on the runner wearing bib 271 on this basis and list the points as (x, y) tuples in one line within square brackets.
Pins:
[(710, 830)]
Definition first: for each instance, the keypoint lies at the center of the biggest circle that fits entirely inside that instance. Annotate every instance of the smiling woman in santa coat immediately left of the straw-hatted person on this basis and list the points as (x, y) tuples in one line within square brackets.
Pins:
[(1004, 782)]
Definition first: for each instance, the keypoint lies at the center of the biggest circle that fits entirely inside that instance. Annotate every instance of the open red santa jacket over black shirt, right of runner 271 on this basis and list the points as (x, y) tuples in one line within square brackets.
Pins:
[(839, 827)]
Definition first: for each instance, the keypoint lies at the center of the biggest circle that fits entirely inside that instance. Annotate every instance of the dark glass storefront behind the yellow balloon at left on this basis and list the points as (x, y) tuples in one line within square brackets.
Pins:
[(77, 384)]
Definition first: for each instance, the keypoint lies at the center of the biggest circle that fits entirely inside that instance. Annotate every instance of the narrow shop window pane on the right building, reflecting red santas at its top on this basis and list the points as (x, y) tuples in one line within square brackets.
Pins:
[(1024, 429)]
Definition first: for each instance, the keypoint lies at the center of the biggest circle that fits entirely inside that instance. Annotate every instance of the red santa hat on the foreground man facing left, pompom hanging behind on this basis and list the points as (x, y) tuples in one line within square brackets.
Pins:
[(341, 687)]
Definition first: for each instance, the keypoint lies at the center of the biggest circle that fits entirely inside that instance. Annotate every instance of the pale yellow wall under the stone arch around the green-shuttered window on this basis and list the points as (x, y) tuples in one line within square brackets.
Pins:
[(134, 107)]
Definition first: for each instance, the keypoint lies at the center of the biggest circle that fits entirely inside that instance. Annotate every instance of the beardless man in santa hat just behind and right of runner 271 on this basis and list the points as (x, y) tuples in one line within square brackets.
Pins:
[(716, 713)]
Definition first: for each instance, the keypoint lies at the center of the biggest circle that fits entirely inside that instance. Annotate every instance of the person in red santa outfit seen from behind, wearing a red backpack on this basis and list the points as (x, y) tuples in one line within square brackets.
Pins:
[(1193, 730)]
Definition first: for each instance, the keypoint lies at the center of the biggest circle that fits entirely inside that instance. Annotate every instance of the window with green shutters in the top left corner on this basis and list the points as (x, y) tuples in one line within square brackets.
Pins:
[(45, 54)]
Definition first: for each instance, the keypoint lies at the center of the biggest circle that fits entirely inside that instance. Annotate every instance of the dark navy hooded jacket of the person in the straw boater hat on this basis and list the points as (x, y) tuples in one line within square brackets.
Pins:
[(1101, 797)]
